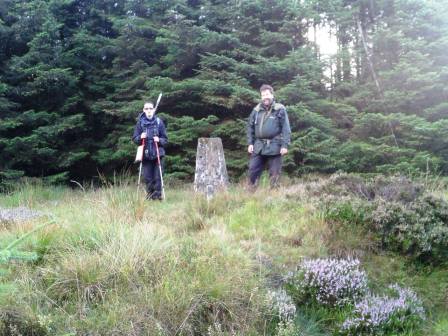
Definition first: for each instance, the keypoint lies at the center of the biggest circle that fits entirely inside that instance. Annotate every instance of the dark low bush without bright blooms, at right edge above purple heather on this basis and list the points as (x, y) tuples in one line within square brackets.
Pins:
[(405, 217)]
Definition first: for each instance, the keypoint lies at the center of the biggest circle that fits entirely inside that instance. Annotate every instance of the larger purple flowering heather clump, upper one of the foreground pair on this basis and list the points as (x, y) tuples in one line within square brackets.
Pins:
[(333, 282)]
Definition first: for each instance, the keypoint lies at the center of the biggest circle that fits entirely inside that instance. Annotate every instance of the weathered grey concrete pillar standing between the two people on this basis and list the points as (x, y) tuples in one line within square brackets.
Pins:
[(211, 172)]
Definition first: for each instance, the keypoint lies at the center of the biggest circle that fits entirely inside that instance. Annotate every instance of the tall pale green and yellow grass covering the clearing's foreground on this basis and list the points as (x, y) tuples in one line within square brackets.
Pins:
[(117, 264)]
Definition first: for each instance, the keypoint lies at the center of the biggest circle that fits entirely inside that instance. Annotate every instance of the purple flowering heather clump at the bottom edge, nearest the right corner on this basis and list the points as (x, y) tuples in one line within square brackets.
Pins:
[(377, 314)]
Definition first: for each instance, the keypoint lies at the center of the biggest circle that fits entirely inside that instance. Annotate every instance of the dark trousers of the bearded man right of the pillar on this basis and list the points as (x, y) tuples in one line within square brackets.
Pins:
[(258, 162)]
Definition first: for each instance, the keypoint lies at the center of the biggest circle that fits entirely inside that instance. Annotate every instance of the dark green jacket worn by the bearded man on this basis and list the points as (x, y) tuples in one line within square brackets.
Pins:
[(268, 131)]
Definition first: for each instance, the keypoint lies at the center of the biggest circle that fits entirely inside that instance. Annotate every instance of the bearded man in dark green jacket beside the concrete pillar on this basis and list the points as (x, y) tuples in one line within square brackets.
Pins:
[(268, 137)]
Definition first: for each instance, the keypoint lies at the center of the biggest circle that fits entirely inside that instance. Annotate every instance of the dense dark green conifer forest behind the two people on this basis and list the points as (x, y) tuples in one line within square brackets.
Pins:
[(74, 75)]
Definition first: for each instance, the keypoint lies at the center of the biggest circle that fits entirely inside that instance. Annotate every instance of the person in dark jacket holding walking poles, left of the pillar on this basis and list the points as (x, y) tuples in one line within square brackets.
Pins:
[(152, 129)]
